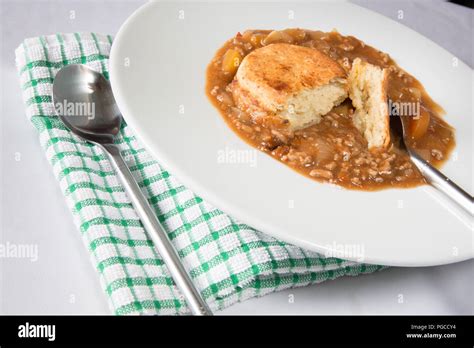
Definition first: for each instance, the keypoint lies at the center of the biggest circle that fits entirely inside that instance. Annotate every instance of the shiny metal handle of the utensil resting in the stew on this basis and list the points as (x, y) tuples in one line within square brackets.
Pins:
[(443, 183)]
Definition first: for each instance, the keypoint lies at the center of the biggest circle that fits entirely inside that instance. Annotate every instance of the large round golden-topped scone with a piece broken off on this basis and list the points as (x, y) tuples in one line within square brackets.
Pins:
[(295, 83)]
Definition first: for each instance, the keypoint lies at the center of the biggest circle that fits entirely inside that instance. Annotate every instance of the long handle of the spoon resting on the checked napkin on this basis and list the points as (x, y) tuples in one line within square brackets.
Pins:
[(156, 233)]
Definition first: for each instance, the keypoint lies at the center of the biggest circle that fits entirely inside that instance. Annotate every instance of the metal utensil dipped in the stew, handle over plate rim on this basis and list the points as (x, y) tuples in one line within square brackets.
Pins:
[(432, 175)]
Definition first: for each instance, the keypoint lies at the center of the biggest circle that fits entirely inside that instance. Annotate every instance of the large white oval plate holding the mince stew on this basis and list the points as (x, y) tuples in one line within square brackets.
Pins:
[(157, 70)]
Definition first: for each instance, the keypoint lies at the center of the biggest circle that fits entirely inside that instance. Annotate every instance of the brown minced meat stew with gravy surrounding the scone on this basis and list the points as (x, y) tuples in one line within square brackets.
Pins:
[(334, 150)]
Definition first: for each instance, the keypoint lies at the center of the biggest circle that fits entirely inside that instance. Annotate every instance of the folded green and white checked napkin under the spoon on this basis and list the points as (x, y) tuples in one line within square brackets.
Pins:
[(228, 260)]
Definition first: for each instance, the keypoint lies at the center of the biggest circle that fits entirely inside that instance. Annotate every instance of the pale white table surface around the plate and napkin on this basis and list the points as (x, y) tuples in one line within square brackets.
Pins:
[(33, 210)]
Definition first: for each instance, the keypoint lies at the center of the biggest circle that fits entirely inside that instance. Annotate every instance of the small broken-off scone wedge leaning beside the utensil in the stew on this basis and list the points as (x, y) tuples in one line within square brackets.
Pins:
[(368, 92)]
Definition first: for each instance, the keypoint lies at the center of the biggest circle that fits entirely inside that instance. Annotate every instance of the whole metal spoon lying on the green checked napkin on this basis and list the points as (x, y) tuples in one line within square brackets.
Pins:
[(84, 101)]
